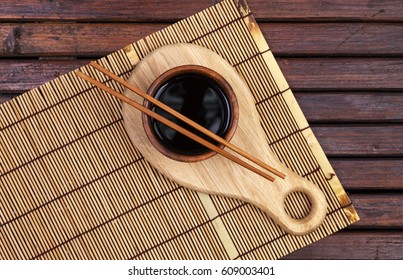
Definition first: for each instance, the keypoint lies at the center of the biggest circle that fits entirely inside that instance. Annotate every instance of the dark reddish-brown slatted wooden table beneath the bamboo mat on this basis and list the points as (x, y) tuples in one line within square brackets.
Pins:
[(343, 59)]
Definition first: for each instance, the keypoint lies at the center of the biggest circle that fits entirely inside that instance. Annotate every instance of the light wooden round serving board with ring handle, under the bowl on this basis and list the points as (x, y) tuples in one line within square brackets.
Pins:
[(217, 175)]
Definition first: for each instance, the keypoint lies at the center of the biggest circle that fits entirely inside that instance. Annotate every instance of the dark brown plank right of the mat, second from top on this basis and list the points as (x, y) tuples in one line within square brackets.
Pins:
[(332, 39)]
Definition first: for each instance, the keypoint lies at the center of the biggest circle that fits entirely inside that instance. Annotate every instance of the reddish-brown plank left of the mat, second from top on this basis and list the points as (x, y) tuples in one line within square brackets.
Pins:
[(76, 39)]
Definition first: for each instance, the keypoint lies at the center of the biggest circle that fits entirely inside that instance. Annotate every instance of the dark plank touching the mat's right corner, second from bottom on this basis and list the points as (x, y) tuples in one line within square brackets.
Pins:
[(381, 210)]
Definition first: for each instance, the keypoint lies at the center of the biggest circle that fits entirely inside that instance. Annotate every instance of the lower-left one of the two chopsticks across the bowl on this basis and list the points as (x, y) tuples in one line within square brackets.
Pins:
[(172, 125)]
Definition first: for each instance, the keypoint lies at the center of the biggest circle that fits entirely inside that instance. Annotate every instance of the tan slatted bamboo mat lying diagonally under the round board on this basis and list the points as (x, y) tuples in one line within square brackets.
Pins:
[(72, 185)]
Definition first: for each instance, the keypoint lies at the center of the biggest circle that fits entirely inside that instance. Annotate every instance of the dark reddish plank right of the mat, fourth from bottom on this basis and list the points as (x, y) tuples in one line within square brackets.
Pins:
[(360, 140)]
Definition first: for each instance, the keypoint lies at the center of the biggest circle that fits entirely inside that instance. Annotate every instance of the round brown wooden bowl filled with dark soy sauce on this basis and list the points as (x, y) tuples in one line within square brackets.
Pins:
[(200, 97)]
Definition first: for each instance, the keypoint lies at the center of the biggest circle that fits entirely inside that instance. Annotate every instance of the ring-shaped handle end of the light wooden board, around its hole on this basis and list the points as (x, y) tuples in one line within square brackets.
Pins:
[(317, 211)]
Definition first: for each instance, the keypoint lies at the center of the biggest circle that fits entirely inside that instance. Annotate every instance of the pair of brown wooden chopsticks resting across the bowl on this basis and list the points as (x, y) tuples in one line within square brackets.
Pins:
[(175, 126)]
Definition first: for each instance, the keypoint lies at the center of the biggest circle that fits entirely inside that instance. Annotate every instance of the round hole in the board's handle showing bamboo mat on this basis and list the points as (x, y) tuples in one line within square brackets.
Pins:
[(297, 205)]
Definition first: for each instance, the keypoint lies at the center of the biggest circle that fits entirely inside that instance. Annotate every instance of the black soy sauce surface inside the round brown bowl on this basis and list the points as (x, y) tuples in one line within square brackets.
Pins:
[(199, 98)]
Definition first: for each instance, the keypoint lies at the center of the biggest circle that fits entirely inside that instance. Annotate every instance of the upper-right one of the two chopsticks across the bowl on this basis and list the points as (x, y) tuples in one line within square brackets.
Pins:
[(186, 120)]
